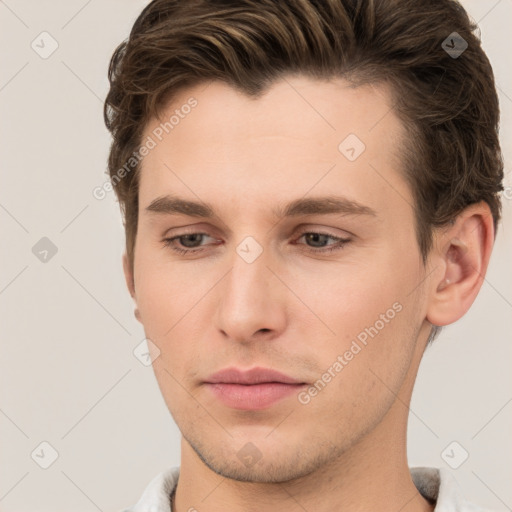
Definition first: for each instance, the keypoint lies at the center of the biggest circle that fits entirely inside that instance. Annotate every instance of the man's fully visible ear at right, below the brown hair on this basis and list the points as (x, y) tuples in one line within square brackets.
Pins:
[(462, 251)]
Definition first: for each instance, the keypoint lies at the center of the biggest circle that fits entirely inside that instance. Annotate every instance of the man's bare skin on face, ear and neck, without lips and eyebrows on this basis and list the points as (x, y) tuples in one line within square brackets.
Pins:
[(293, 309)]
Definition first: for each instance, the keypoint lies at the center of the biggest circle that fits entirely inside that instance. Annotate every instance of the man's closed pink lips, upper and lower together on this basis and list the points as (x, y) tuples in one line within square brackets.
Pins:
[(254, 389)]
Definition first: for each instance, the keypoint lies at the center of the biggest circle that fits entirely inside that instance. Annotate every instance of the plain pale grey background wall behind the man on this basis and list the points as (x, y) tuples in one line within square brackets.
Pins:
[(69, 377)]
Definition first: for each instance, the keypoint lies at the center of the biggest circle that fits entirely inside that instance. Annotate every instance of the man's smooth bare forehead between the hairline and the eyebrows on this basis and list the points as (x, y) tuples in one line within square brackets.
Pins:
[(300, 135)]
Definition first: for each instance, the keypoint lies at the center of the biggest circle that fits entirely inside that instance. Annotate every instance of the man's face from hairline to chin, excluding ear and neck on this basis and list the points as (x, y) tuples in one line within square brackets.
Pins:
[(263, 290)]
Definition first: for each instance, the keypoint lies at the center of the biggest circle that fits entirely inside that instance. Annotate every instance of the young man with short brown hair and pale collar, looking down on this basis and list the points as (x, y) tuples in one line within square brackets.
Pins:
[(310, 191)]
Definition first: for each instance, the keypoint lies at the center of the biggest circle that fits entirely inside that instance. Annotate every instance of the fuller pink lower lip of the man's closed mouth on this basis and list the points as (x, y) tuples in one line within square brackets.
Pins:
[(253, 396)]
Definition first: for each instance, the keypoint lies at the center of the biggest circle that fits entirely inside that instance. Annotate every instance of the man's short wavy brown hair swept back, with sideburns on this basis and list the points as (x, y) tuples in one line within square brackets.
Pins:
[(449, 105)]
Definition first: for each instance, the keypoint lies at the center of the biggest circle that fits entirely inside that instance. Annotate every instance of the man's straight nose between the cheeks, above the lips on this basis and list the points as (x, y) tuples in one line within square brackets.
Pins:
[(251, 300)]
